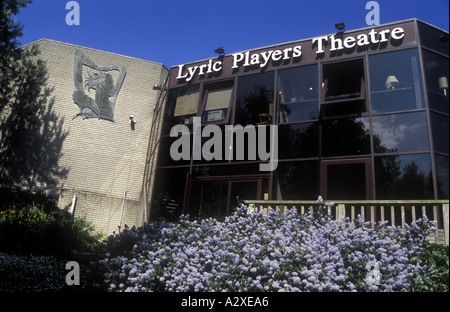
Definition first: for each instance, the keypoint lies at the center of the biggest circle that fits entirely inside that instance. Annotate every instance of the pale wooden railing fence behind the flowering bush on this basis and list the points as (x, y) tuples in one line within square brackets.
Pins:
[(396, 212)]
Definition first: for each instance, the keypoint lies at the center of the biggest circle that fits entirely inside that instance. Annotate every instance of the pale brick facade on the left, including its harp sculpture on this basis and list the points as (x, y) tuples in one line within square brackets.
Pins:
[(93, 143)]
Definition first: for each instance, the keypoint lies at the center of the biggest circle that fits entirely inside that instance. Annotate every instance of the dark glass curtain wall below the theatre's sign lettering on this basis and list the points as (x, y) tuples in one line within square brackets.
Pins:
[(369, 116)]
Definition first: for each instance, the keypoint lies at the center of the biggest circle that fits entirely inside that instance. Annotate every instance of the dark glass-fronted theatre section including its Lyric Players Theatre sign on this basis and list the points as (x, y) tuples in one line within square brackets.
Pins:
[(353, 115)]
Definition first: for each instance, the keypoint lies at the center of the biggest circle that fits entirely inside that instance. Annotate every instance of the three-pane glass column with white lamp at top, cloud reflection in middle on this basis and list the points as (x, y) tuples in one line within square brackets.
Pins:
[(399, 124)]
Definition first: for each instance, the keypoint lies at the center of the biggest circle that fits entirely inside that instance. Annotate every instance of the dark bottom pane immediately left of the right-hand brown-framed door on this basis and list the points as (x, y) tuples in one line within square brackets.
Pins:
[(296, 181)]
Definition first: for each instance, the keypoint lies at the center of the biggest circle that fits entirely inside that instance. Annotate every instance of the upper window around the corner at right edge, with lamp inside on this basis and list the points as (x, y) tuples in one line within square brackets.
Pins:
[(437, 75)]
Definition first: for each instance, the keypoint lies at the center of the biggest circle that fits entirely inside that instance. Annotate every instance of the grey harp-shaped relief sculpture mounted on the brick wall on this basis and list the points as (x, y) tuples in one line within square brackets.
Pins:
[(98, 78)]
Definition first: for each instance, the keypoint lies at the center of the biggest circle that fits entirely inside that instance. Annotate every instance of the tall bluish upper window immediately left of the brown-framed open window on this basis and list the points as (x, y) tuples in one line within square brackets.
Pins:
[(297, 96)]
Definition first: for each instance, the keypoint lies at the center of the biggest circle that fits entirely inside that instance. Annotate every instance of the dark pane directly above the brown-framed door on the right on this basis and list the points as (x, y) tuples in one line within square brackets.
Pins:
[(345, 136)]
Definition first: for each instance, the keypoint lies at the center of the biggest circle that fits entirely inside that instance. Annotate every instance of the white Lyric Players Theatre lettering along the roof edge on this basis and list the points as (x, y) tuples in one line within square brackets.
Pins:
[(293, 53)]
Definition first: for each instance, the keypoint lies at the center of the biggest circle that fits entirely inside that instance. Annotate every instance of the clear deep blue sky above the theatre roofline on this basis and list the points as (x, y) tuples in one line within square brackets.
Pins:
[(173, 32)]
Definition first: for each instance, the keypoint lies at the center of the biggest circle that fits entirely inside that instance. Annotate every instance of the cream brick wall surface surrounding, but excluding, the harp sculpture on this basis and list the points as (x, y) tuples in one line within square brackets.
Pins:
[(97, 159)]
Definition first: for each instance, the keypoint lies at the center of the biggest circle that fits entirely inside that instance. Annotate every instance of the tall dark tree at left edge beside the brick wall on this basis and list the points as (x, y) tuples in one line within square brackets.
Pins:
[(30, 131)]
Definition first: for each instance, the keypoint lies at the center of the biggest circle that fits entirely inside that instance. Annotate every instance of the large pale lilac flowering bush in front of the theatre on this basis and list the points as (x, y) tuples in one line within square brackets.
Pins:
[(273, 252)]
